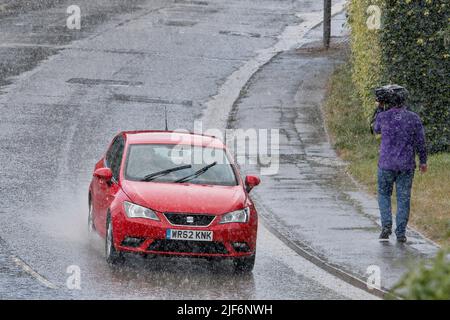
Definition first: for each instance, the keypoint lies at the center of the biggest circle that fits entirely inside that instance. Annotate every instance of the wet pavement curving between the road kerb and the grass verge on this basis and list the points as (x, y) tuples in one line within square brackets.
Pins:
[(312, 203)]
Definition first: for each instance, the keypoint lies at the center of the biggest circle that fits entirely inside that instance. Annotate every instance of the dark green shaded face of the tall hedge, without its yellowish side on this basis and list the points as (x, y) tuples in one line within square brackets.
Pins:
[(415, 55)]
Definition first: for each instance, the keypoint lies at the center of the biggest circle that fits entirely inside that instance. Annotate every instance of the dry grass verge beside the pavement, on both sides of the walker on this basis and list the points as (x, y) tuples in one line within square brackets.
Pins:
[(348, 128)]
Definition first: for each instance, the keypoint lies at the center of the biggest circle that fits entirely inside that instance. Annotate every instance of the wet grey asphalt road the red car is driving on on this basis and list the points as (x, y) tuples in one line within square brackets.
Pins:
[(57, 118)]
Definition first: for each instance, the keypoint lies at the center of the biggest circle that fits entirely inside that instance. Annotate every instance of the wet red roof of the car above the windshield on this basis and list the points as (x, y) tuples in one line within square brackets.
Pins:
[(171, 137)]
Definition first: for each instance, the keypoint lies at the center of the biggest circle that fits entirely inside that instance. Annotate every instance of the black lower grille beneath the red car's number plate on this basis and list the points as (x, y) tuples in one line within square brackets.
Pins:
[(178, 246)]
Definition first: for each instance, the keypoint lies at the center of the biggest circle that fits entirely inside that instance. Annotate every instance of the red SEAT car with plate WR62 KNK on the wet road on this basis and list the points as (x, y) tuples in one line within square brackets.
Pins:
[(172, 193)]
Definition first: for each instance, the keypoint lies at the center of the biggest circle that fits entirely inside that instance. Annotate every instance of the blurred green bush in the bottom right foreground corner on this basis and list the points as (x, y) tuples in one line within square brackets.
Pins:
[(427, 282)]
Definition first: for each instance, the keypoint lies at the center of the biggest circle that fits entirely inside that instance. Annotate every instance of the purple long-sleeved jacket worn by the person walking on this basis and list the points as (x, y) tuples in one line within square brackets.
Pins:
[(402, 136)]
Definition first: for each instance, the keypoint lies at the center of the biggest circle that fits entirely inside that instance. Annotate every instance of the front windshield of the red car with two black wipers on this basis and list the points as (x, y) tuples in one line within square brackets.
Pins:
[(178, 164)]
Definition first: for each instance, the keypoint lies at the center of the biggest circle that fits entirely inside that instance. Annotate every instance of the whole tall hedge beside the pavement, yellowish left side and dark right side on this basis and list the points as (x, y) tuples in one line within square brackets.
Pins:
[(411, 49)]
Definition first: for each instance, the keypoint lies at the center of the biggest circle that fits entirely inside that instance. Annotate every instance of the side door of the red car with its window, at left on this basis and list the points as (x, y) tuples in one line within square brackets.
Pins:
[(105, 191)]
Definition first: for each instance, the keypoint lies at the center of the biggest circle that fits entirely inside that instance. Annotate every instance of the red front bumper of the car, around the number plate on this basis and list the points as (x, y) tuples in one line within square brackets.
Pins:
[(146, 236)]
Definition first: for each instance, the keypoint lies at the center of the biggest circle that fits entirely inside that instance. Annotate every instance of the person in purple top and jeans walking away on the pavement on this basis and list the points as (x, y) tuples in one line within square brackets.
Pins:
[(402, 138)]
